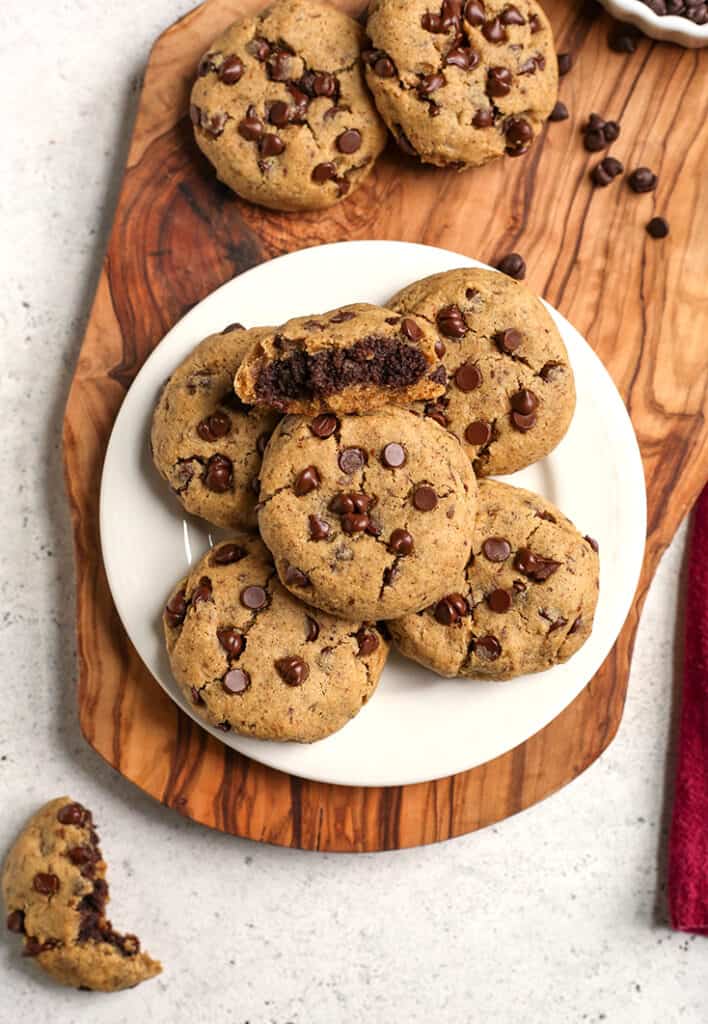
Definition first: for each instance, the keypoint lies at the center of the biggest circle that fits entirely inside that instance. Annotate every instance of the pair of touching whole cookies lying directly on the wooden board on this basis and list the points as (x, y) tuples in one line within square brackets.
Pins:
[(291, 106)]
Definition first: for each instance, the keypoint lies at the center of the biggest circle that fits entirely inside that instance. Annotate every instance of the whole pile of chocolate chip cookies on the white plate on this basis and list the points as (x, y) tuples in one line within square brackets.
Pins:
[(359, 443)]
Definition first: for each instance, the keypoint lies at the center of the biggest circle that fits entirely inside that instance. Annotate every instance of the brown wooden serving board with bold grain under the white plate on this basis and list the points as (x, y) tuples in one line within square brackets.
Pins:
[(644, 307)]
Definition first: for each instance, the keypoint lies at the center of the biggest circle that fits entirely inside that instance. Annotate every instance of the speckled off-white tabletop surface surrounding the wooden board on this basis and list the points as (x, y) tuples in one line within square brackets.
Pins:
[(557, 916)]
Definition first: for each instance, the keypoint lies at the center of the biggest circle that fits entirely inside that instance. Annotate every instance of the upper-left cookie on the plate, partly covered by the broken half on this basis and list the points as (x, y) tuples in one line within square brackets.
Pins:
[(205, 443)]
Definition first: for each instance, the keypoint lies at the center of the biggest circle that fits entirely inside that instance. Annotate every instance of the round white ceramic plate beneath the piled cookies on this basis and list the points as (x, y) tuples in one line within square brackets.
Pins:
[(418, 727)]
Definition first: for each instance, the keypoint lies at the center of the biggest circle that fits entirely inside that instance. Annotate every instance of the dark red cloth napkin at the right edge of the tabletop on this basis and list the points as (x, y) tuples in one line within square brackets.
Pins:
[(689, 840)]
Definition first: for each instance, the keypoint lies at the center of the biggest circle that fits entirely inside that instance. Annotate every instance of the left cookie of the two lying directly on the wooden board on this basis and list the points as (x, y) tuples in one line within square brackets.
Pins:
[(281, 109)]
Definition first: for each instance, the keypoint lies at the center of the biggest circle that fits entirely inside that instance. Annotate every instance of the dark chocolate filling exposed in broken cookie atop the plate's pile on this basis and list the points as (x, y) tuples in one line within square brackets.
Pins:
[(388, 363)]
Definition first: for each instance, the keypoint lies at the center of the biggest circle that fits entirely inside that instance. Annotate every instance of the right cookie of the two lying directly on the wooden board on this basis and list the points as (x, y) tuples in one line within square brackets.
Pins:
[(462, 83)]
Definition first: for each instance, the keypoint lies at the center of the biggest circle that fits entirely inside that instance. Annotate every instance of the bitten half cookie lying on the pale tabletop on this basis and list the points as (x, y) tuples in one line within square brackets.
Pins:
[(55, 888)]
